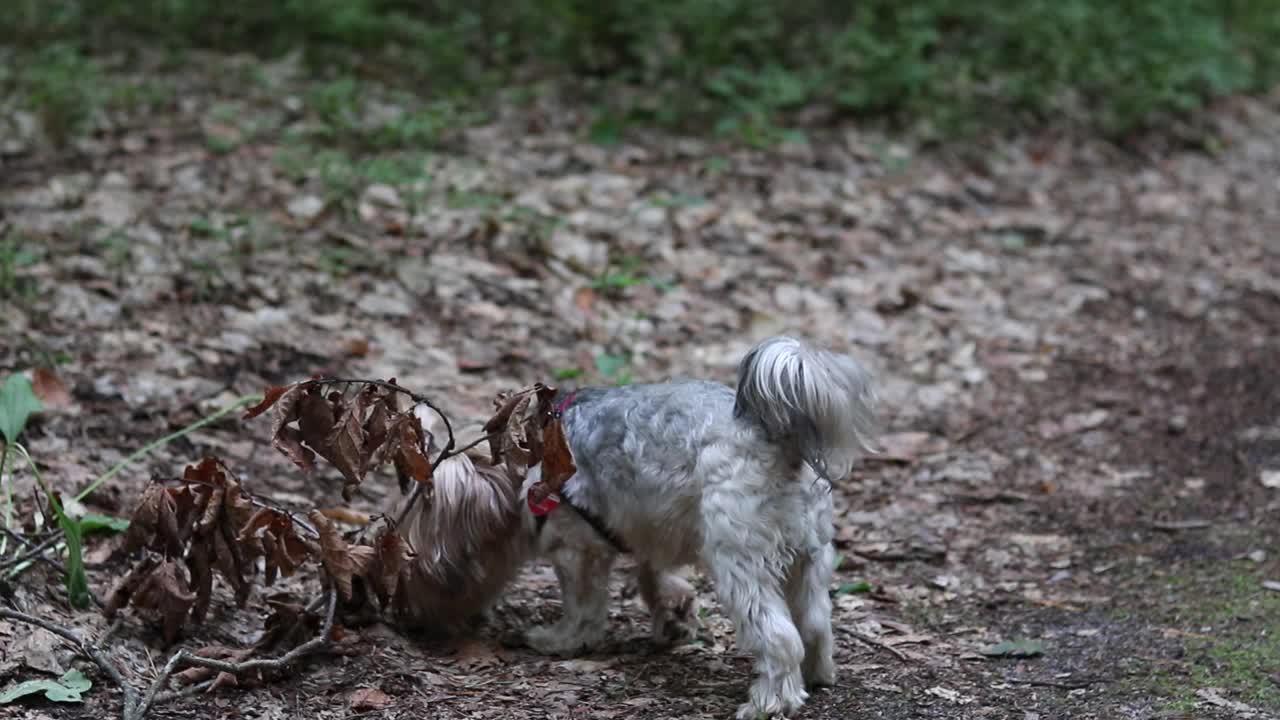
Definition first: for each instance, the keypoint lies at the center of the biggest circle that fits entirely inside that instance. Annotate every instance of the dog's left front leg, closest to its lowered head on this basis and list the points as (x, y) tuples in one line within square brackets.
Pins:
[(583, 569)]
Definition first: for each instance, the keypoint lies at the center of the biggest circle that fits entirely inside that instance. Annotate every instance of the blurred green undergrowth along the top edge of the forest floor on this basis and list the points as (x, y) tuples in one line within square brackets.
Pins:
[(740, 67)]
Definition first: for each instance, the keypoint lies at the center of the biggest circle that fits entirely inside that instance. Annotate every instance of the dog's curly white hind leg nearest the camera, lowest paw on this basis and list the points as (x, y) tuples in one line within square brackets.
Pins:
[(755, 600)]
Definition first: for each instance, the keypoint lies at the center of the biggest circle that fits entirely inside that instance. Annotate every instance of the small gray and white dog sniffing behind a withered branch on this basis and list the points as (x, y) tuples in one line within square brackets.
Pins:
[(675, 473)]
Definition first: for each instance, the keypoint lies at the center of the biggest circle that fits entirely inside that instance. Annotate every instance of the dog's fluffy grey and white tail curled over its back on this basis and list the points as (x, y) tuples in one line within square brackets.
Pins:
[(820, 404)]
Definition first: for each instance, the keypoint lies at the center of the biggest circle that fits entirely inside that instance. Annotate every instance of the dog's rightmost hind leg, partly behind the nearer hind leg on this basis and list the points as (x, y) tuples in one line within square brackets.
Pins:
[(811, 609)]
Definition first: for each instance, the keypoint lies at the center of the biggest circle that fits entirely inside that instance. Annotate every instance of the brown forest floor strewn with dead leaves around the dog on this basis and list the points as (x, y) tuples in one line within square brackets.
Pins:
[(1077, 349)]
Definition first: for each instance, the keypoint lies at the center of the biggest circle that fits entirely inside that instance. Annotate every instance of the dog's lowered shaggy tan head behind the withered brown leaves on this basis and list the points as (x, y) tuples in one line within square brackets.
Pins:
[(469, 541)]
